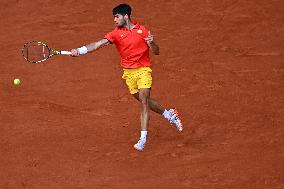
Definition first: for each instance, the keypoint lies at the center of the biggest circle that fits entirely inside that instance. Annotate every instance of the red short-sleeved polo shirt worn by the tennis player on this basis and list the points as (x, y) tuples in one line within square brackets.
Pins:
[(131, 45)]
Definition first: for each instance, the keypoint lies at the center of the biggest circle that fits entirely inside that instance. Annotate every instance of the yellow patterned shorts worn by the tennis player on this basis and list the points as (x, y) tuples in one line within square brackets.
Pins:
[(137, 78)]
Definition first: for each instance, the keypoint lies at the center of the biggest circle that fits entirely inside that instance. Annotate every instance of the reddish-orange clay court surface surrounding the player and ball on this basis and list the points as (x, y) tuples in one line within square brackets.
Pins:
[(71, 124)]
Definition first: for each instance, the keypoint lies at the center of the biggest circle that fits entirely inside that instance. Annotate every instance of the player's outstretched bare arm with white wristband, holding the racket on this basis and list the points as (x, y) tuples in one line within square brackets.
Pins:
[(90, 47)]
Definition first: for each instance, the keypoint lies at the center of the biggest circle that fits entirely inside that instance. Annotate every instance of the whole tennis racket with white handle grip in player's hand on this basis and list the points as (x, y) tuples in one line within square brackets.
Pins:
[(37, 52)]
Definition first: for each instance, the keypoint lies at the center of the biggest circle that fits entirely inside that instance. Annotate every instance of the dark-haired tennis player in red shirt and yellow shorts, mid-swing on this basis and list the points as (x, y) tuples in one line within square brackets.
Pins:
[(133, 42)]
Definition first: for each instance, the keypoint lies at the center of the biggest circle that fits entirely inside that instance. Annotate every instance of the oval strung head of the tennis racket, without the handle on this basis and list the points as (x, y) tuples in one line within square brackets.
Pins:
[(35, 52)]
